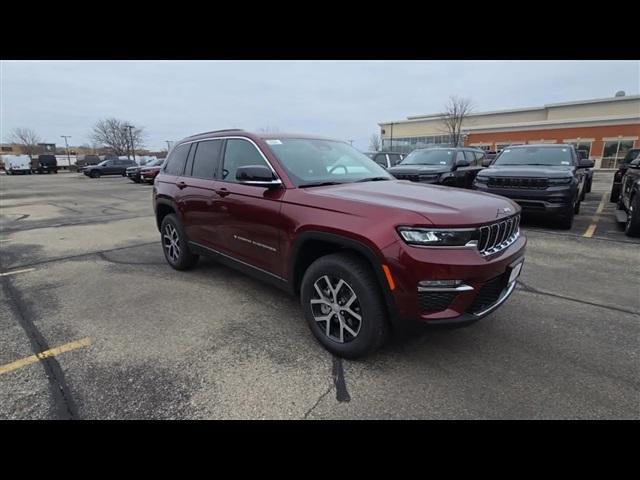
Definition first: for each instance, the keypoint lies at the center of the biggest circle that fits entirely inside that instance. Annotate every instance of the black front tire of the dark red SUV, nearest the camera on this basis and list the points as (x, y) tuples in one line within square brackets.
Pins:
[(373, 327)]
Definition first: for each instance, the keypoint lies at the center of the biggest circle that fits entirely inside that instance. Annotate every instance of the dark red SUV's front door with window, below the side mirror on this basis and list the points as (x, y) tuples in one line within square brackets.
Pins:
[(247, 217)]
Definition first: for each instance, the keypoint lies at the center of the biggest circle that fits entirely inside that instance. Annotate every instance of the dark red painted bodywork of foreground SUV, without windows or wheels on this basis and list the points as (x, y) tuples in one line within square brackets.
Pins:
[(215, 213)]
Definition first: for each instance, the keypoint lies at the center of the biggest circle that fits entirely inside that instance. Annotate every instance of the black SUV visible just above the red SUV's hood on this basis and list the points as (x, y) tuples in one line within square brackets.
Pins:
[(453, 167)]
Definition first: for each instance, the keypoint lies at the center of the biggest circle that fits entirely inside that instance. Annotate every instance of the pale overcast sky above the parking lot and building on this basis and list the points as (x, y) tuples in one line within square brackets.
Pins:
[(342, 99)]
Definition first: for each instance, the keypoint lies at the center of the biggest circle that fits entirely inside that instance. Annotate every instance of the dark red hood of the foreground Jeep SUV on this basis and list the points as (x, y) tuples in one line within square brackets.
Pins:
[(438, 205)]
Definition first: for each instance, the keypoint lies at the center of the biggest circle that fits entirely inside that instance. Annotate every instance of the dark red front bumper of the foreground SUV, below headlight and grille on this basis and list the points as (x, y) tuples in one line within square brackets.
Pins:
[(486, 281)]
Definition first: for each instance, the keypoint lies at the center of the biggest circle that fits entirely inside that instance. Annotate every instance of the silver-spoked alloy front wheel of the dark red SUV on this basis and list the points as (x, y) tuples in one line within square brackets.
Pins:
[(335, 305)]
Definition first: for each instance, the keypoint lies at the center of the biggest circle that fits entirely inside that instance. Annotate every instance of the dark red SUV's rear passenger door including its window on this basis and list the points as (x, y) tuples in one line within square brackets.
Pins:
[(199, 199)]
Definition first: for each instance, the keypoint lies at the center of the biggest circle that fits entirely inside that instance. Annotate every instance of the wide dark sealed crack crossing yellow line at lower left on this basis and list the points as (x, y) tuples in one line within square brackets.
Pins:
[(63, 401)]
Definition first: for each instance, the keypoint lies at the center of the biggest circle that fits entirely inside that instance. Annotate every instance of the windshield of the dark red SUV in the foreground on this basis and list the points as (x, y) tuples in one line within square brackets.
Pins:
[(312, 161)]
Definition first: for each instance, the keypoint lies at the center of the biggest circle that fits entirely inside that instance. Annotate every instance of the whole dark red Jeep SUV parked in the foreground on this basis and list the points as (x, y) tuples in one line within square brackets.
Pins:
[(319, 219)]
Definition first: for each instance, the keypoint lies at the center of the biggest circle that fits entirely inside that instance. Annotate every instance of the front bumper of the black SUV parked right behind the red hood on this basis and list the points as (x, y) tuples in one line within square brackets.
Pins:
[(553, 200)]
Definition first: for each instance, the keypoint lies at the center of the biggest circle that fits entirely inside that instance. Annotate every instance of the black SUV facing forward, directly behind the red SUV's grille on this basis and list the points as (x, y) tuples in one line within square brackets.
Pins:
[(540, 178)]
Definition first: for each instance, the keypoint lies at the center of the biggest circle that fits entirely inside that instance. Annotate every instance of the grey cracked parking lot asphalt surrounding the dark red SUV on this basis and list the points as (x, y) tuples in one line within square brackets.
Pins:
[(82, 269)]
